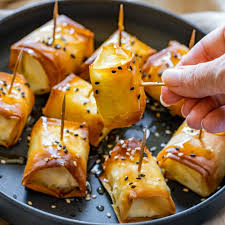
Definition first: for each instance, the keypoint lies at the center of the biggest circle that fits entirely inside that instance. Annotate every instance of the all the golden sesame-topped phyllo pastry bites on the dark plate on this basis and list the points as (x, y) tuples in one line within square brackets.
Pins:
[(79, 113)]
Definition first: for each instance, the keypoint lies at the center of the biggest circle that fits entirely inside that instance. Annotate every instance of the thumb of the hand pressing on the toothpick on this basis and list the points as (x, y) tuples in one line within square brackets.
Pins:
[(197, 81)]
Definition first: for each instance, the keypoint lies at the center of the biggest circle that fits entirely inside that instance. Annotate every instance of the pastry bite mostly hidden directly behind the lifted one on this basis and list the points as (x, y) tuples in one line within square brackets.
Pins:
[(141, 50)]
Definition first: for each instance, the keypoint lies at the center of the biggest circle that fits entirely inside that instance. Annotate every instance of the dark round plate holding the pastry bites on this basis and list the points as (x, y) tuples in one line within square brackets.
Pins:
[(155, 27)]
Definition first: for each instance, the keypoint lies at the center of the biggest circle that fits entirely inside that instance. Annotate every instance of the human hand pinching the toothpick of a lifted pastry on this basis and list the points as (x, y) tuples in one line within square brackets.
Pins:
[(199, 78)]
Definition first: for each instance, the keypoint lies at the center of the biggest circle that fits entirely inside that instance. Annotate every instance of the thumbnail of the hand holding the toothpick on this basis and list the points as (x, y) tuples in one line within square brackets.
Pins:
[(171, 77)]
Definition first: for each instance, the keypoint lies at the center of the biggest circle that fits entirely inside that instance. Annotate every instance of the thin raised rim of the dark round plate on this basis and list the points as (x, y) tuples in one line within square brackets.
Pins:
[(170, 218)]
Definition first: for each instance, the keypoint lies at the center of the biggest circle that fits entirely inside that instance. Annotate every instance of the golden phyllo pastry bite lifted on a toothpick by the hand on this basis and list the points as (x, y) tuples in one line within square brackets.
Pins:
[(116, 82)]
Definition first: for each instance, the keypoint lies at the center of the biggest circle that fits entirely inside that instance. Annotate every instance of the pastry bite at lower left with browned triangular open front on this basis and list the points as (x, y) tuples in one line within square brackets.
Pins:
[(56, 167)]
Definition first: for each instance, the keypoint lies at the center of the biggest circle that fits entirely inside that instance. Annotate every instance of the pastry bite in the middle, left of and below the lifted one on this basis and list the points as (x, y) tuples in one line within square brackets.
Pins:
[(81, 106)]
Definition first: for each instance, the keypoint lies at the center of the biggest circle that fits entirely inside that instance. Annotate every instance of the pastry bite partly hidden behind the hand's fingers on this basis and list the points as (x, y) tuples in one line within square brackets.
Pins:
[(156, 64)]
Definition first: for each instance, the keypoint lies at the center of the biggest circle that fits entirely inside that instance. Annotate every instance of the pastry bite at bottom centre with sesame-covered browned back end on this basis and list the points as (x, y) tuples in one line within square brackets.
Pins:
[(136, 196)]
